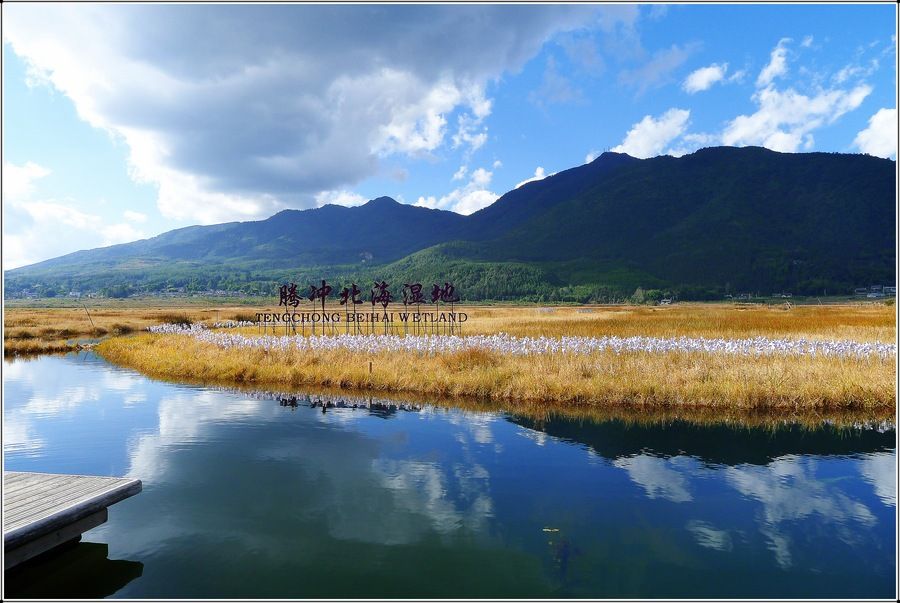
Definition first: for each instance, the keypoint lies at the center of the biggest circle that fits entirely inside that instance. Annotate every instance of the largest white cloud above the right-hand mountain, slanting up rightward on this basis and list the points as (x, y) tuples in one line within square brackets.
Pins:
[(785, 119)]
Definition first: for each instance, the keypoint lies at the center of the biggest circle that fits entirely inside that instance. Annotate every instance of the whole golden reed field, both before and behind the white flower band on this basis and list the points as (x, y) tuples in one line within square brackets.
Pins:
[(630, 380)]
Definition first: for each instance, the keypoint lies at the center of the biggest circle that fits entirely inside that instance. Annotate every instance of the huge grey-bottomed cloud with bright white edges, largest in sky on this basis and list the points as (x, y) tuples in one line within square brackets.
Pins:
[(234, 112)]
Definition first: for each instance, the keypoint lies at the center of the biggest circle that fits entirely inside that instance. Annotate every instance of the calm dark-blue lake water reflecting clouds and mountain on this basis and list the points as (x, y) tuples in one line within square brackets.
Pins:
[(247, 497)]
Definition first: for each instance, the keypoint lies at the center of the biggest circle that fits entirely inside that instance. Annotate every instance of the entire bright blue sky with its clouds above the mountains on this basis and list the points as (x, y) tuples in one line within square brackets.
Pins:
[(122, 122)]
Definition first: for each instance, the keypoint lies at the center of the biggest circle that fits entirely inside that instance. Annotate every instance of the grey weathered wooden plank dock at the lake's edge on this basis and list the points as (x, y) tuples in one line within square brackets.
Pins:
[(43, 510)]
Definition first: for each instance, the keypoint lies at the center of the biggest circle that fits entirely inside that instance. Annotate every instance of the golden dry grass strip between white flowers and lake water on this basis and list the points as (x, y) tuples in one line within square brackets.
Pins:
[(633, 379)]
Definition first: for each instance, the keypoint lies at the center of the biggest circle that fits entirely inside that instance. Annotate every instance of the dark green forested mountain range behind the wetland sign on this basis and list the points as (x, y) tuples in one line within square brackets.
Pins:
[(720, 220)]
